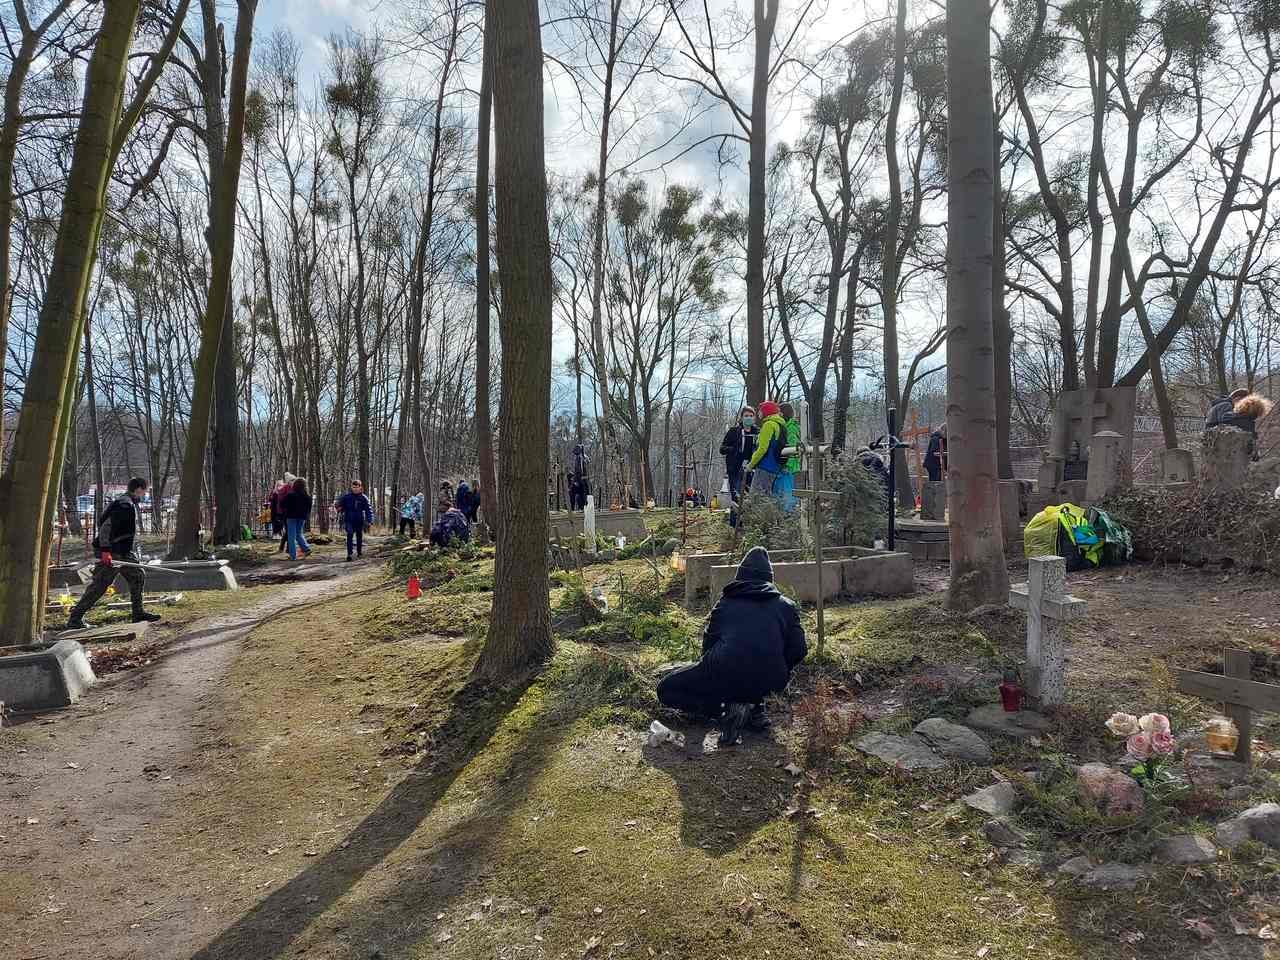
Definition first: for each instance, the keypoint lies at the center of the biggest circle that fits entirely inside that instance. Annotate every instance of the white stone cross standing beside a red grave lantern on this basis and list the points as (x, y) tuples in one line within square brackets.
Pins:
[(1049, 607)]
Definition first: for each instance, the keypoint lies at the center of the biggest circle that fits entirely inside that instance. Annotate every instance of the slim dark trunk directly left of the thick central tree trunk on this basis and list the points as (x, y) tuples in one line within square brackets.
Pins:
[(484, 376)]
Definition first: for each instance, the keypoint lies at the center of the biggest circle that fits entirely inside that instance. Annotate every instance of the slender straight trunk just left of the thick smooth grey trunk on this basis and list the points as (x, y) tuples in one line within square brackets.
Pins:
[(890, 257)]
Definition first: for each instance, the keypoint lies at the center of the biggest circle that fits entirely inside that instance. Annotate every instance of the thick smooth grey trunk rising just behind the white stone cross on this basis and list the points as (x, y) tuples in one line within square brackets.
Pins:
[(979, 573)]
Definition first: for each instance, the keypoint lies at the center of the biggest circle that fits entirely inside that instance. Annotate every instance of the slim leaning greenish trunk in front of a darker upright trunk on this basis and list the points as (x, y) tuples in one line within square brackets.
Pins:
[(222, 231)]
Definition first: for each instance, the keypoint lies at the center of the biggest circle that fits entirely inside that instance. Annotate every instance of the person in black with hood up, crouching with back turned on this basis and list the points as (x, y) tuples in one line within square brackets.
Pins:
[(752, 643)]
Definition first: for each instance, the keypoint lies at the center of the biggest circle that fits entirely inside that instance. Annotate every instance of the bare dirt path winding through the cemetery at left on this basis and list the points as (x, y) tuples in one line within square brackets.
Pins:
[(85, 789)]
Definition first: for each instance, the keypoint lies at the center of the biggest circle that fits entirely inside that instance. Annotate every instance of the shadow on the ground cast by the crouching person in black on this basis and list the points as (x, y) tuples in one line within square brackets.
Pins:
[(723, 793)]
